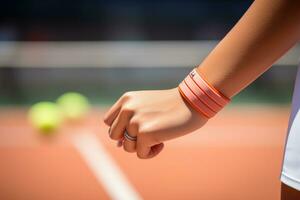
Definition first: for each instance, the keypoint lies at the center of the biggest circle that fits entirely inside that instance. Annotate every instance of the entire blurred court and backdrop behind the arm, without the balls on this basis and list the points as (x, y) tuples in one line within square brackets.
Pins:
[(103, 48)]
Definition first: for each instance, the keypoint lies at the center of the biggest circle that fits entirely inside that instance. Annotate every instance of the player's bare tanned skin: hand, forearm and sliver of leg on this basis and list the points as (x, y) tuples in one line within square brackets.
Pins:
[(267, 30)]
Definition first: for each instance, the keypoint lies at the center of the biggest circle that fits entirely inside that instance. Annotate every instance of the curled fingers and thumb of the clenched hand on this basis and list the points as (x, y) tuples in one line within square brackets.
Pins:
[(122, 117)]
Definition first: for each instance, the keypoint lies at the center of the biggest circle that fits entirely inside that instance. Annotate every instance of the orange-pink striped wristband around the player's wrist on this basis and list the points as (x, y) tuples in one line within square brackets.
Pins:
[(201, 95)]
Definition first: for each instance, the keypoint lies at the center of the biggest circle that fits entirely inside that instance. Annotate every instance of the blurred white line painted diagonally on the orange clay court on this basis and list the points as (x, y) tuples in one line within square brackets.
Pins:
[(104, 168)]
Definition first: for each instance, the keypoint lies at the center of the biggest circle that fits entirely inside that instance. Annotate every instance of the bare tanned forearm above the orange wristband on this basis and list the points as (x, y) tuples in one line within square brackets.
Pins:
[(267, 30)]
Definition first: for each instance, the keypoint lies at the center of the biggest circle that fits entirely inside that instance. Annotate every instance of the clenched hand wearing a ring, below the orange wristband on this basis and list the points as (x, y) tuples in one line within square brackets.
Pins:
[(153, 117)]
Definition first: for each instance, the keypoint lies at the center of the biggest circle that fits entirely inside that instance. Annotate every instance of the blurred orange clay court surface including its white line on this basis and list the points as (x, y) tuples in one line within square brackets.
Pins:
[(237, 154)]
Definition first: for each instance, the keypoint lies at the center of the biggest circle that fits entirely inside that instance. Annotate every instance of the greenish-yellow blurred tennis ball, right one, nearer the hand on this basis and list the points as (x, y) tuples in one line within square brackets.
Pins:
[(73, 105)]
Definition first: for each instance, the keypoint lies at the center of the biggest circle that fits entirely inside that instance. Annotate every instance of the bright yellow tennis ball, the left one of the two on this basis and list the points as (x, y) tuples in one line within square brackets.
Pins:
[(45, 116)]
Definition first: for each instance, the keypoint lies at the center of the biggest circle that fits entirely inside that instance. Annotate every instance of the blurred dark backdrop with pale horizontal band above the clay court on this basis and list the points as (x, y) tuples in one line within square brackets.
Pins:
[(103, 48)]
